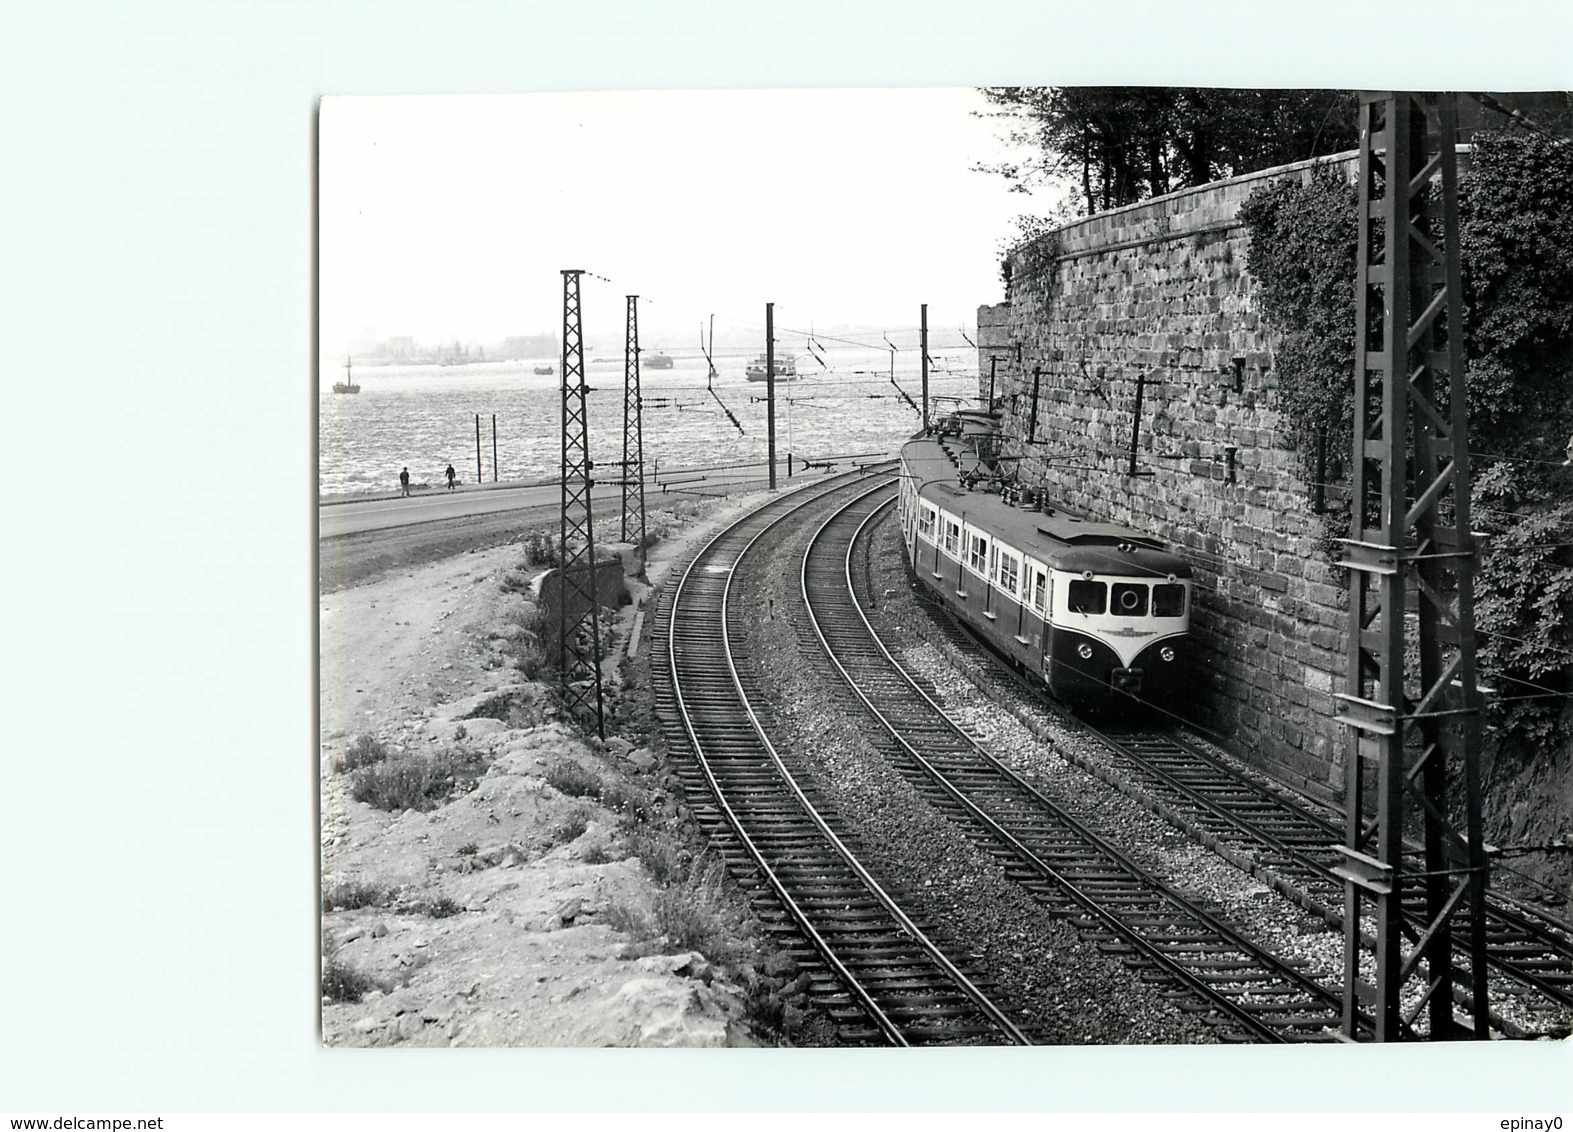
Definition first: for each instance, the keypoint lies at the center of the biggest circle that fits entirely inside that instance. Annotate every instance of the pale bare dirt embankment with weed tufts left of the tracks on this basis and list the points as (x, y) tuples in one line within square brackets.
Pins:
[(507, 883)]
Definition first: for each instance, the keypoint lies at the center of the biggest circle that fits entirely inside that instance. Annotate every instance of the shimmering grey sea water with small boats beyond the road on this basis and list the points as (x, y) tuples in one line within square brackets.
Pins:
[(422, 417)]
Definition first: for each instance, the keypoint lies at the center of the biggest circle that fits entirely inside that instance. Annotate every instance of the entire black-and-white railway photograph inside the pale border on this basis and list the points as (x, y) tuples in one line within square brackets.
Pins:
[(971, 567)]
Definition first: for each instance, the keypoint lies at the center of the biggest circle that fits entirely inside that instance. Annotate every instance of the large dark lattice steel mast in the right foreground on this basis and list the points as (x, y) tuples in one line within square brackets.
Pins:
[(1413, 735)]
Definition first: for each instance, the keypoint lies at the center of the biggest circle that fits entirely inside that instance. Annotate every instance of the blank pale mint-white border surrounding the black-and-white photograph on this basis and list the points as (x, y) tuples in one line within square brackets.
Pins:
[(158, 300)]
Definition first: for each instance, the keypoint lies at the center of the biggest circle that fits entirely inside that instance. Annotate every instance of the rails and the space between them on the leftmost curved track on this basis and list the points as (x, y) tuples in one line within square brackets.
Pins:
[(908, 988)]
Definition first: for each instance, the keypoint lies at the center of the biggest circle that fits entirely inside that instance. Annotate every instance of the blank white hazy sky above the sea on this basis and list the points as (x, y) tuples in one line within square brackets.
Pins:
[(454, 216)]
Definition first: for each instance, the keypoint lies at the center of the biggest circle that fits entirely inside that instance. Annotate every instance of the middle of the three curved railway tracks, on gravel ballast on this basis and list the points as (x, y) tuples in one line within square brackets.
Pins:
[(1168, 938)]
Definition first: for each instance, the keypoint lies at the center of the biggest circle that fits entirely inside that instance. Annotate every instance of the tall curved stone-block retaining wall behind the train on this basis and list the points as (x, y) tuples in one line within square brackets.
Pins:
[(1159, 292)]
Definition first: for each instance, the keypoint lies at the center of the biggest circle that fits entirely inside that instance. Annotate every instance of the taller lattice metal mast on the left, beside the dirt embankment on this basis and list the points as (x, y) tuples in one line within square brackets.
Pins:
[(578, 612)]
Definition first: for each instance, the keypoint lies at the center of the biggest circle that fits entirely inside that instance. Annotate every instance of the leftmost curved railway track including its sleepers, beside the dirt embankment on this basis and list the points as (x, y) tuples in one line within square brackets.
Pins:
[(879, 974)]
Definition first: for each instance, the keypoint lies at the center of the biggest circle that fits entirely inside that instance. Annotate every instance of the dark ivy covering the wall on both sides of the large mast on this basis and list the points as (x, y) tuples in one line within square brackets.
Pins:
[(1517, 244)]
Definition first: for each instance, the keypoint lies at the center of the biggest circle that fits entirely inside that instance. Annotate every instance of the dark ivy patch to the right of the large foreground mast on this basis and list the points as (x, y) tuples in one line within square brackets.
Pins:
[(1517, 233)]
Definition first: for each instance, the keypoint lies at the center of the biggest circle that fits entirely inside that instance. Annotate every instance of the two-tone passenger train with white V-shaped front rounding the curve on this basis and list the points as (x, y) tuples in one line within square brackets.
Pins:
[(1099, 612)]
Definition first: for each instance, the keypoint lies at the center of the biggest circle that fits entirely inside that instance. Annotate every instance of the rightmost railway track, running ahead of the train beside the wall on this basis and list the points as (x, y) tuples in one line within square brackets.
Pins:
[(1275, 837)]
